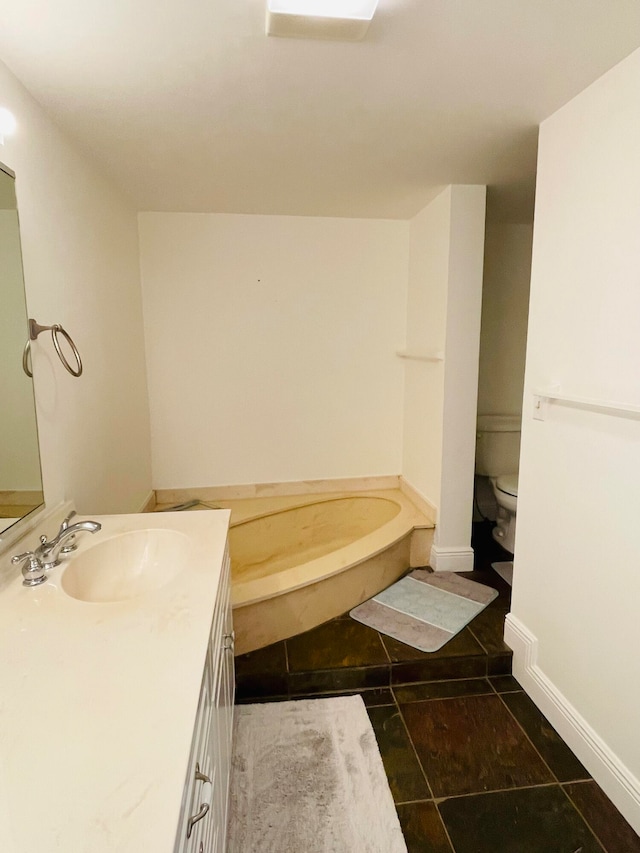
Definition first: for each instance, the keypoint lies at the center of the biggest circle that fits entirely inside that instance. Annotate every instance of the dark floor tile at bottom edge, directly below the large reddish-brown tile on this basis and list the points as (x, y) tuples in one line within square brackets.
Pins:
[(528, 820)]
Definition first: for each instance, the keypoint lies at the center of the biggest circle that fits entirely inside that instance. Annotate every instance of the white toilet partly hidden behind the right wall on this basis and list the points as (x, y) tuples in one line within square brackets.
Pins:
[(497, 457)]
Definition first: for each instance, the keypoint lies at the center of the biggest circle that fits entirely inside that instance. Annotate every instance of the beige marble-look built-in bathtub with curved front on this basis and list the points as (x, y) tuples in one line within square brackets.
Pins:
[(297, 562)]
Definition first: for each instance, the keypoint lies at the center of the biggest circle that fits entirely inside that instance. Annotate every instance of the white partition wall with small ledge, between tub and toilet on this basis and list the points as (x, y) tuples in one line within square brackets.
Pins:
[(443, 315)]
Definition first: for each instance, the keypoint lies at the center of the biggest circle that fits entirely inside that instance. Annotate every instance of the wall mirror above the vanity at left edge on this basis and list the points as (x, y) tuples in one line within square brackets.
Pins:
[(20, 475)]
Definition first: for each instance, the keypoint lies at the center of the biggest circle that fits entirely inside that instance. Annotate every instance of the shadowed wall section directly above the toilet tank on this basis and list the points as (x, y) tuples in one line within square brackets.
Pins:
[(505, 309)]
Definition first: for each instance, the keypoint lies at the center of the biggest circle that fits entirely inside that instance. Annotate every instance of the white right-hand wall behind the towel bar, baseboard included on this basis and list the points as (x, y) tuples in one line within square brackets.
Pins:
[(574, 621)]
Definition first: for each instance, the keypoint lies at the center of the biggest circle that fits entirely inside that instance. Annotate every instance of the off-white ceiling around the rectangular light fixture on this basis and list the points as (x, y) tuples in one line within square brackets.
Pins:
[(189, 106)]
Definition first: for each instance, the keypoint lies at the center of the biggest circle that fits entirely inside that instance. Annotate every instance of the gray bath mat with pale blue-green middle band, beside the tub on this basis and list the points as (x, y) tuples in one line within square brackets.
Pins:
[(425, 609)]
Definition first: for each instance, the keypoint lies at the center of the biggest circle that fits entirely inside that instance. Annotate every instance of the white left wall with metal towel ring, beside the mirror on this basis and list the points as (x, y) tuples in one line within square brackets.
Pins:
[(80, 248)]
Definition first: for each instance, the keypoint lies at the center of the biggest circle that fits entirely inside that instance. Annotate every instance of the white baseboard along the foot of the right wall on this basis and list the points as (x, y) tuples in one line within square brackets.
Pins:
[(613, 776)]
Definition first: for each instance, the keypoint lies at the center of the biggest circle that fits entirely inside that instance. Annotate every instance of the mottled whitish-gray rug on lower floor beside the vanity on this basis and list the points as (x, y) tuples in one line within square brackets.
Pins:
[(307, 777)]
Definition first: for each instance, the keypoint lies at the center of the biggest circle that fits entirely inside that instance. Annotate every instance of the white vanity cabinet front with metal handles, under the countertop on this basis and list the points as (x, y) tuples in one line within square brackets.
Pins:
[(203, 819)]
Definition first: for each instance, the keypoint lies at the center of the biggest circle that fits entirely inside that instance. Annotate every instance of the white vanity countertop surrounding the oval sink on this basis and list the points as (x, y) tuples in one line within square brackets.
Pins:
[(98, 701)]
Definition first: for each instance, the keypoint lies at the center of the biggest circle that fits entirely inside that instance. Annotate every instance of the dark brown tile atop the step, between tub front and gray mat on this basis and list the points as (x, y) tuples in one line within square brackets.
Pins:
[(339, 643)]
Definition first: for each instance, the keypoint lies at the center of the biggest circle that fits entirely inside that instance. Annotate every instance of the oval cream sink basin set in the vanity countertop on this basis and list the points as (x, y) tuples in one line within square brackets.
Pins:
[(126, 566)]
